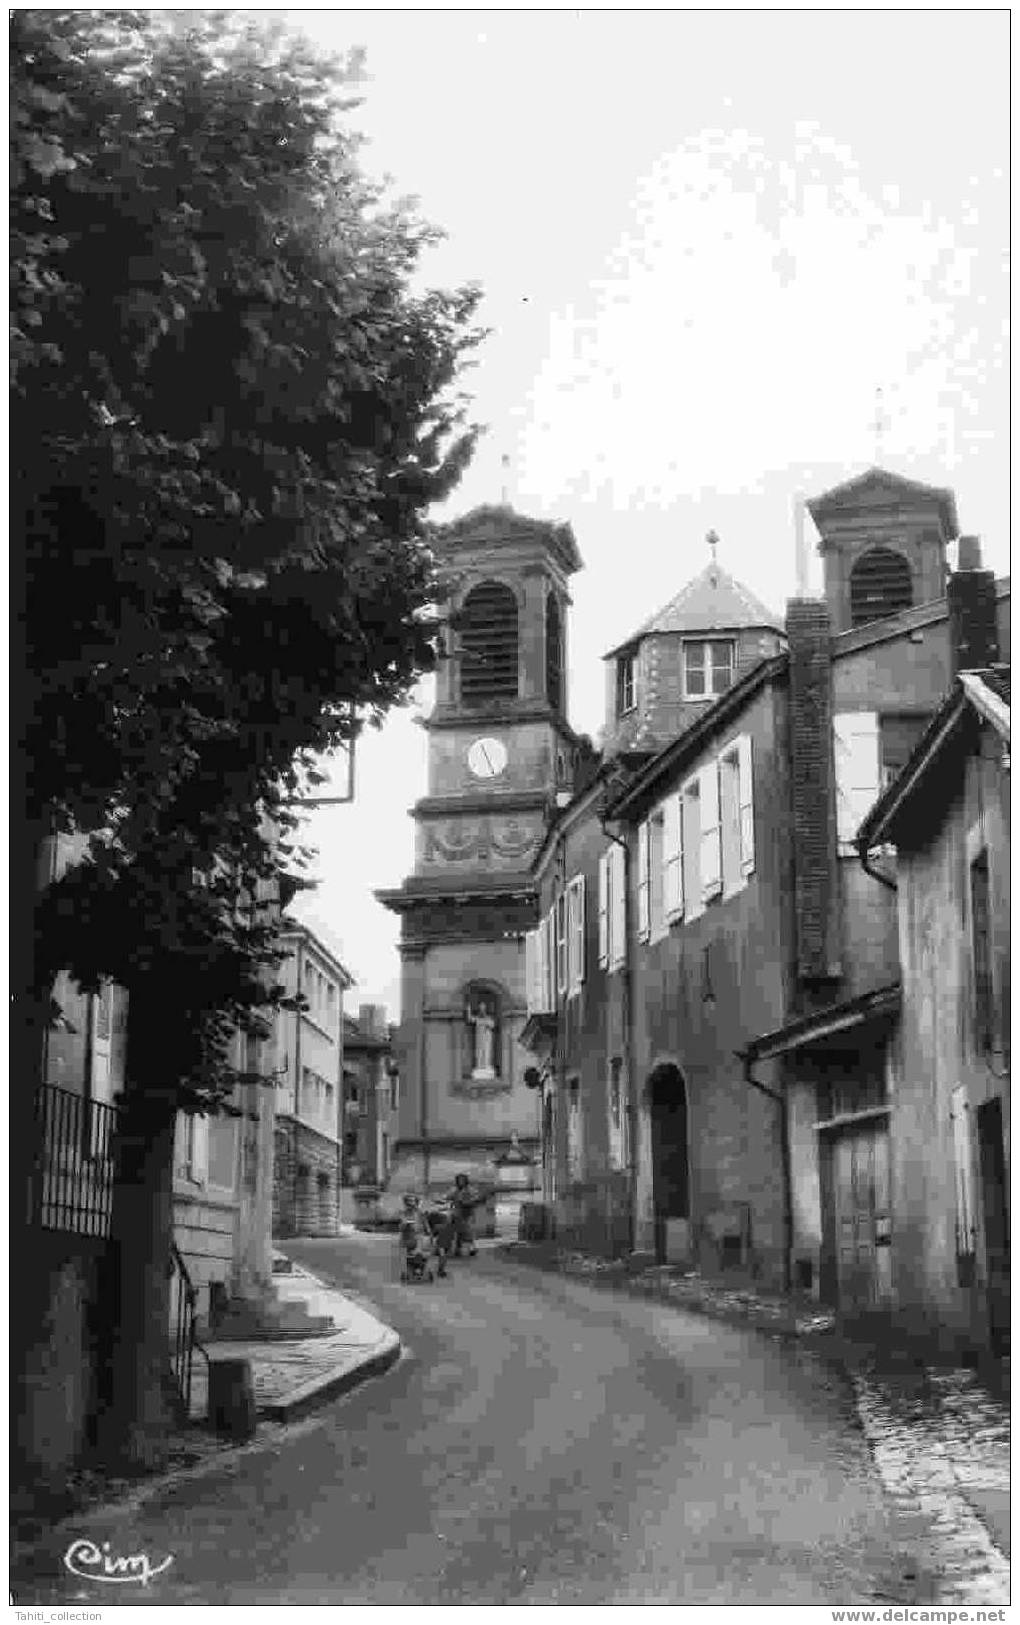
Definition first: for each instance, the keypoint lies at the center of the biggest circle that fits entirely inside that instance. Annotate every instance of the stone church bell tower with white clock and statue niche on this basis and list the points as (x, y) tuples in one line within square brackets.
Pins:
[(501, 753)]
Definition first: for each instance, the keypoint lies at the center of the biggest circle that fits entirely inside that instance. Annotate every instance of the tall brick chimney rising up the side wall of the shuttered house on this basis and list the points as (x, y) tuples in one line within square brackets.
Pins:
[(815, 805)]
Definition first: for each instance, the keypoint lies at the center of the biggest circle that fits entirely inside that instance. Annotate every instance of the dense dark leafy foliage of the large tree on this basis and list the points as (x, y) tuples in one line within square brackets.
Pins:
[(231, 412)]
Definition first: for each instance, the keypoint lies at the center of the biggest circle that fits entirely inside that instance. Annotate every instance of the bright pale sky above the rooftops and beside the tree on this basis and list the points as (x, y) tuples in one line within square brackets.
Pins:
[(706, 240)]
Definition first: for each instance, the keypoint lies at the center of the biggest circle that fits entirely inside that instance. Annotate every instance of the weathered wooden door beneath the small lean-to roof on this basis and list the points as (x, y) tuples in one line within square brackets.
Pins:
[(863, 1218)]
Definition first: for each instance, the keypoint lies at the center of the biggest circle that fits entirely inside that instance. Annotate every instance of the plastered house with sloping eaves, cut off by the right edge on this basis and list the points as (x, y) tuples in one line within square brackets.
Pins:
[(946, 813)]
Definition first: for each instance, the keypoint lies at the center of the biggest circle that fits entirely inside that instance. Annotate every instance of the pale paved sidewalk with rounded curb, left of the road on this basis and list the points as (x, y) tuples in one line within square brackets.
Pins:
[(295, 1374)]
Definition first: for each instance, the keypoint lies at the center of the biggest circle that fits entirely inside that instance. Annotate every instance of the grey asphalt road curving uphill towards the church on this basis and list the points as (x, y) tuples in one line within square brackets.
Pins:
[(540, 1442)]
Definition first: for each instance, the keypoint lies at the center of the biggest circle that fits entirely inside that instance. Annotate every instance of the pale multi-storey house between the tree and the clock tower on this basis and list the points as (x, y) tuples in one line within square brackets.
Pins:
[(309, 1054)]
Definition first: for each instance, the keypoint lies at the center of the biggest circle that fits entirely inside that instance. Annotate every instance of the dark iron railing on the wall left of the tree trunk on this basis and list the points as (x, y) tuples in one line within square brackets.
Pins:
[(74, 1185)]
